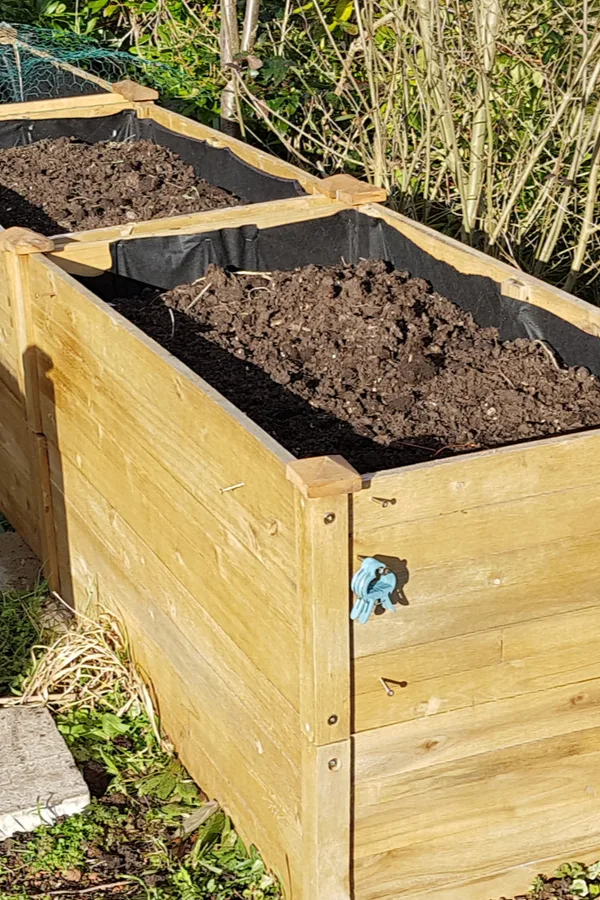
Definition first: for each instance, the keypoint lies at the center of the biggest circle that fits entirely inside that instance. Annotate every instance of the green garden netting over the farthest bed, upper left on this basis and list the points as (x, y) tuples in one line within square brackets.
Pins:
[(38, 64)]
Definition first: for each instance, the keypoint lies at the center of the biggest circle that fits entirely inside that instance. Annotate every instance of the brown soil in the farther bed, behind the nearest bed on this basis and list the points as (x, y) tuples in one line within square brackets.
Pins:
[(55, 186)]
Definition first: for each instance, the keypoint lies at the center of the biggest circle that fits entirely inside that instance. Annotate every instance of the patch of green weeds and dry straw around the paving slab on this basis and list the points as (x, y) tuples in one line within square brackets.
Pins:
[(149, 833)]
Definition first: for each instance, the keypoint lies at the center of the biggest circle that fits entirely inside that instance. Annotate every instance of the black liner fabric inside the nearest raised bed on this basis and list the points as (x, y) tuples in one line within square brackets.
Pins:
[(166, 262)]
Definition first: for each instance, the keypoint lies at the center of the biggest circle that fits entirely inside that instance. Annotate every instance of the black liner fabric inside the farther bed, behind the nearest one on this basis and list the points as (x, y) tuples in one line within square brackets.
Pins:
[(219, 167)]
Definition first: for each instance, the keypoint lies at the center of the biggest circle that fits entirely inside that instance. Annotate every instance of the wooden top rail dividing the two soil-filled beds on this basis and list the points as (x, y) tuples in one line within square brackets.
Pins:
[(87, 253)]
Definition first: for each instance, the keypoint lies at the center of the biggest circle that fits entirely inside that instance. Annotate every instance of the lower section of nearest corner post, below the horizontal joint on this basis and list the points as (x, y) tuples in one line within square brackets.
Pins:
[(326, 791)]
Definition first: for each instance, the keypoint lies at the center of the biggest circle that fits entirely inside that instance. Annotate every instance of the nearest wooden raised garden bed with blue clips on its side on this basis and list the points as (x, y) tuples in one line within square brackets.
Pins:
[(449, 749)]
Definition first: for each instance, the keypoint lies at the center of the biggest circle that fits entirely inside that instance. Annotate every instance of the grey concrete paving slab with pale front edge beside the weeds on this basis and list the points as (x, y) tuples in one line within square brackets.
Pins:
[(39, 781)]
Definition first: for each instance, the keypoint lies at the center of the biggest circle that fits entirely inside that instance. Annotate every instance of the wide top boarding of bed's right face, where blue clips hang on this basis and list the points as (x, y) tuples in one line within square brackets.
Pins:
[(467, 537)]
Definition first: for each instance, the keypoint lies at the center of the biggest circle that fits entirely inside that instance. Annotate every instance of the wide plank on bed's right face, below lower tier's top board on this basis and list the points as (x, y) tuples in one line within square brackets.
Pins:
[(477, 816)]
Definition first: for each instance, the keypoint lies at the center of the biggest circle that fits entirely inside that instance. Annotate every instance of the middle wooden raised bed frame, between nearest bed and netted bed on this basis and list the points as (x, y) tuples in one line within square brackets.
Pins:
[(126, 112)]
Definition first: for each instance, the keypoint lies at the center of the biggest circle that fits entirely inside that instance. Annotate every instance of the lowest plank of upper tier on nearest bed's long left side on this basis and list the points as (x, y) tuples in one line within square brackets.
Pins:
[(226, 577)]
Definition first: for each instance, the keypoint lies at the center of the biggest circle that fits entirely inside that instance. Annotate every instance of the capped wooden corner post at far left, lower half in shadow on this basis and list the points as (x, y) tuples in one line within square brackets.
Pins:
[(18, 244)]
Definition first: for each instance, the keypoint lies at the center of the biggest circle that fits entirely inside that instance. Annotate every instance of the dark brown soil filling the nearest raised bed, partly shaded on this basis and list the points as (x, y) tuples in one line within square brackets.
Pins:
[(366, 362)]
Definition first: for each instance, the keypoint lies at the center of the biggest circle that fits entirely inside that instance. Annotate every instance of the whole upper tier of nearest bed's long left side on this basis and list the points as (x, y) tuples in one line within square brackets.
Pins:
[(142, 421)]
